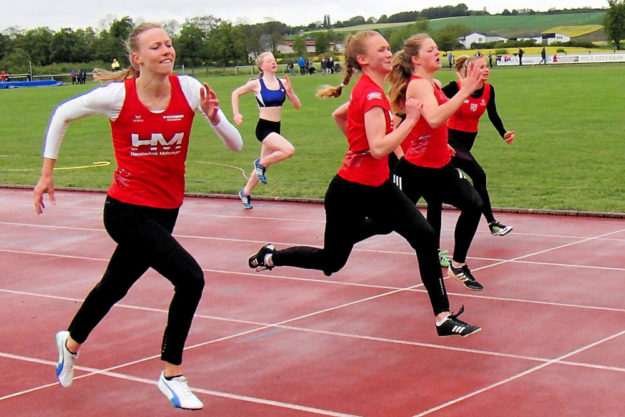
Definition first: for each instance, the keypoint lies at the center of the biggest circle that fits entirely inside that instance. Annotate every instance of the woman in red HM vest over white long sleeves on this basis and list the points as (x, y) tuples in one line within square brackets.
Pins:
[(151, 112)]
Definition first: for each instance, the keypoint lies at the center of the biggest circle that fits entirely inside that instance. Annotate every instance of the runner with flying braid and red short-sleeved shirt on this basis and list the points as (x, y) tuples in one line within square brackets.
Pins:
[(361, 193)]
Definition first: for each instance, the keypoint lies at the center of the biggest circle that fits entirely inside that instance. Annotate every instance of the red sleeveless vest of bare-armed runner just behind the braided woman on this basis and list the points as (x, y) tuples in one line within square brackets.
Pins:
[(425, 146)]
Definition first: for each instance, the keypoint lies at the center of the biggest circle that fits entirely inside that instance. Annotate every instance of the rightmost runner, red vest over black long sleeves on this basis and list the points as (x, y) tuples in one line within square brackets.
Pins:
[(463, 127)]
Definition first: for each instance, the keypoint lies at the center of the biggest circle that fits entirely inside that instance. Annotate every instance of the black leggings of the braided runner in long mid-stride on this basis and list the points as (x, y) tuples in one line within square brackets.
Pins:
[(351, 210)]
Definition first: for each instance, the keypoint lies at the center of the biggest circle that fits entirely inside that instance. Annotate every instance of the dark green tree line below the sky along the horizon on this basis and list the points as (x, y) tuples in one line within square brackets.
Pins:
[(208, 40)]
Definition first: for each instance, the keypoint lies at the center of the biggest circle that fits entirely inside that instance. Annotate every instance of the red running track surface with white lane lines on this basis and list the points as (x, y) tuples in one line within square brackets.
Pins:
[(293, 342)]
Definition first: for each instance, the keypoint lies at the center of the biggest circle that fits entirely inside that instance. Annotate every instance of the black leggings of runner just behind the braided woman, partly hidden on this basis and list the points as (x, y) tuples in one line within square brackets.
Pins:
[(438, 186)]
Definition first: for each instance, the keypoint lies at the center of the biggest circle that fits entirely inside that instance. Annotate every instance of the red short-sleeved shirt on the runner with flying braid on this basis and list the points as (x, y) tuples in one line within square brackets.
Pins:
[(359, 166)]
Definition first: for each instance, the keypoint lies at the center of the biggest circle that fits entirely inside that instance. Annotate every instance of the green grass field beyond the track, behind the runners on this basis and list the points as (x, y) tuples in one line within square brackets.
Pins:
[(568, 153)]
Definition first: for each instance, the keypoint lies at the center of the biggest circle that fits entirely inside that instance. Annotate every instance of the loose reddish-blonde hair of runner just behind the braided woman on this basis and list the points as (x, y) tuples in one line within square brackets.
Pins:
[(402, 70)]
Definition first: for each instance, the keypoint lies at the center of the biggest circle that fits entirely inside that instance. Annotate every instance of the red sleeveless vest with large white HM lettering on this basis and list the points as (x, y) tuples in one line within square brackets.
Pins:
[(151, 149)]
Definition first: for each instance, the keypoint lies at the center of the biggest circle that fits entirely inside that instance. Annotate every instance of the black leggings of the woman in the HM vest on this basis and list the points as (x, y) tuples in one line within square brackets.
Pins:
[(144, 240)]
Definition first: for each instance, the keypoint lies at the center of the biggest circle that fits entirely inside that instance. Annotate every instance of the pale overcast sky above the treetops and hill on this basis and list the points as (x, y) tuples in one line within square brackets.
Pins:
[(29, 14)]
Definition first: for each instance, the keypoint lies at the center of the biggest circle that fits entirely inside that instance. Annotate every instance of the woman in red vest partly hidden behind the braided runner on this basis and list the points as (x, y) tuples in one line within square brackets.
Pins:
[(425, 170)]
